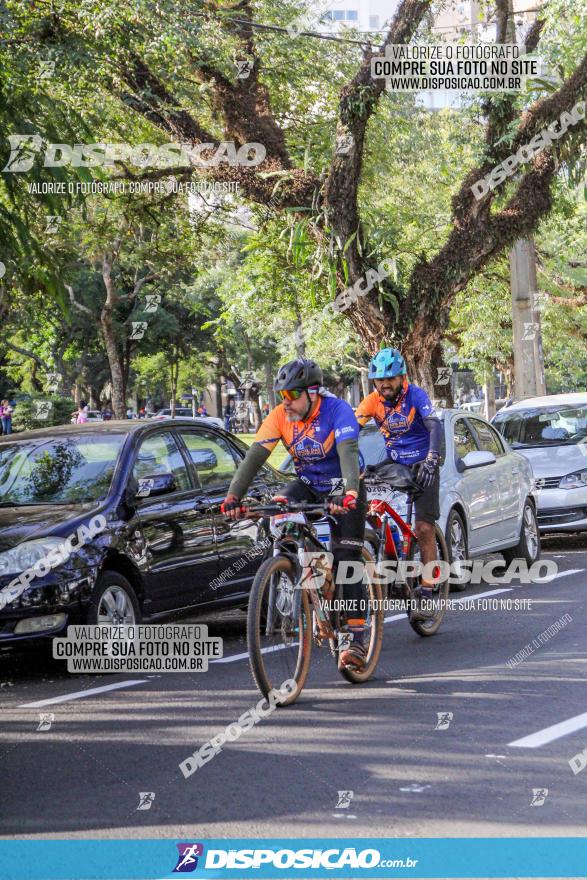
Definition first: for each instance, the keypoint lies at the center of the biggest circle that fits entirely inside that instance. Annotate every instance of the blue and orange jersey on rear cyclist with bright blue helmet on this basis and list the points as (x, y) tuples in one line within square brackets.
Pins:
[(407, 439)]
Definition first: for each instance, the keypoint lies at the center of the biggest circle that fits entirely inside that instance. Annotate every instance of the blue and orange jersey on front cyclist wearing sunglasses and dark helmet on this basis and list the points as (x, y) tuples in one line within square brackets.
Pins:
[(312, 444)]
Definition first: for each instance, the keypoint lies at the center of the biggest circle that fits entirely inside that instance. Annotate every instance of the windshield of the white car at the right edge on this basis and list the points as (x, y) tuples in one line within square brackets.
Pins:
[(543, 426)]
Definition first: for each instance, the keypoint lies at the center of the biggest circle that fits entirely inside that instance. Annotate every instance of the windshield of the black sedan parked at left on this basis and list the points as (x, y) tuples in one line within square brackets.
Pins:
[(69, 469)]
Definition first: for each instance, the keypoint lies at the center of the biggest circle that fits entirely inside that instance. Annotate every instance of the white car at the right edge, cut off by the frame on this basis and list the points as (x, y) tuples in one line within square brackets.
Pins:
[(551, 432)]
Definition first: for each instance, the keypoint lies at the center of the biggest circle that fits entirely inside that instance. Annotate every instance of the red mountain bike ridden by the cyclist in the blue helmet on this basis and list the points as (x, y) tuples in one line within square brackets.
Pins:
[(397, 541)]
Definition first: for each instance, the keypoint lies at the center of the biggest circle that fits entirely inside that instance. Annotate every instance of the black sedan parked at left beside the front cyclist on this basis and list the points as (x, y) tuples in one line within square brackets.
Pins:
[(117, 522)]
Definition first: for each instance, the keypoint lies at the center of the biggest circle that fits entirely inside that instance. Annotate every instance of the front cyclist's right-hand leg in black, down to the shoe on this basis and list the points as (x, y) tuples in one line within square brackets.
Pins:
[(348, 535)]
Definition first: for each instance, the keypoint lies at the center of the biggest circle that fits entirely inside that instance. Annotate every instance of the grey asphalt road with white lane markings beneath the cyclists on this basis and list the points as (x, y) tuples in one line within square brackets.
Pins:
[(82, 777)]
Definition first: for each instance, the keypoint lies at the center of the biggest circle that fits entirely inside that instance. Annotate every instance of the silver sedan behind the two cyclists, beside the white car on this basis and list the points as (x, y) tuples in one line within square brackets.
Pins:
[(487, 501)]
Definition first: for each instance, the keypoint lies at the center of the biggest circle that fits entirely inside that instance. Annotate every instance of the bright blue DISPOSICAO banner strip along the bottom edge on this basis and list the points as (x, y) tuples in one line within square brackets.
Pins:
[(288, 857)]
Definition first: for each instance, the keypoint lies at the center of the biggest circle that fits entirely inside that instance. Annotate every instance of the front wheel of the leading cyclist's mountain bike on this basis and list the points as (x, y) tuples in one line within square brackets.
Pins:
[(284, 652)]
